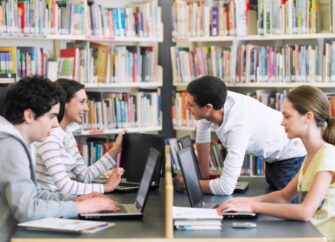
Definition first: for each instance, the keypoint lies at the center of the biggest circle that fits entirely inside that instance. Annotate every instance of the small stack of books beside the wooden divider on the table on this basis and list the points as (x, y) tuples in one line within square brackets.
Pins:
[(196, 218)]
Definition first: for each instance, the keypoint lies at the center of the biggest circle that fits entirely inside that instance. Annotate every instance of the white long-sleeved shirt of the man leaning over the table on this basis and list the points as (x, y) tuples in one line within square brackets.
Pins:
[(248, 127)]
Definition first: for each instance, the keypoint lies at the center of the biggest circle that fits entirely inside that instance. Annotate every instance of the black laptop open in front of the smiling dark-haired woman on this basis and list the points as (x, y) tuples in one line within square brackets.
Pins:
[(135, 149)]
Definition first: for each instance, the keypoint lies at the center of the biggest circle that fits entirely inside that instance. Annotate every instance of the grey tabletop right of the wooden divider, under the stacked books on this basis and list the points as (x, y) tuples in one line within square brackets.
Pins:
[(267, 226)]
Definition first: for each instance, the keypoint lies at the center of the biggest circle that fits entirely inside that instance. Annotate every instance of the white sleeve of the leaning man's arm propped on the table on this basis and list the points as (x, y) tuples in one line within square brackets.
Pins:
[(236, 146)]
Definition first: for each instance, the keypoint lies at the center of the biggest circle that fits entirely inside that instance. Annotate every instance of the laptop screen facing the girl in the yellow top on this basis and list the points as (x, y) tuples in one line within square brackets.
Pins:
[(190, 177)]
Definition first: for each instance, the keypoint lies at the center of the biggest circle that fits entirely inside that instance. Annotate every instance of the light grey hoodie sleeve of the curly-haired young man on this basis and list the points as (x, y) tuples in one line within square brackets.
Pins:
[(21, 192)]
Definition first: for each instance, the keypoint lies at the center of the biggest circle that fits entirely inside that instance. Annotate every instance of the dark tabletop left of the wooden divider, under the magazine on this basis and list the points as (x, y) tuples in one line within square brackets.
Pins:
[(151, 226)]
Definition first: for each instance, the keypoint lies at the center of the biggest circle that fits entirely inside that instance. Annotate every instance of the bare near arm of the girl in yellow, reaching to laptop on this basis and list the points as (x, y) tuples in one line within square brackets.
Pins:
[(303, 211)]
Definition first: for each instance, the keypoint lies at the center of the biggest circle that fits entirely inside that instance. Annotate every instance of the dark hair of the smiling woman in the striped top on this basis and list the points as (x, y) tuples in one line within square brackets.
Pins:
[(69, 87)]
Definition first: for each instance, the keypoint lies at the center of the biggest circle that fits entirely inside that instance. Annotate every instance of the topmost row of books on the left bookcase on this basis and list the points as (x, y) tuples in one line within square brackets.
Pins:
[(39, 17)]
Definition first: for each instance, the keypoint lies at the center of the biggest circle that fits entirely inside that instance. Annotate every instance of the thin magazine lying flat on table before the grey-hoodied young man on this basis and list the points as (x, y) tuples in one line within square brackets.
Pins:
[(66, 225)]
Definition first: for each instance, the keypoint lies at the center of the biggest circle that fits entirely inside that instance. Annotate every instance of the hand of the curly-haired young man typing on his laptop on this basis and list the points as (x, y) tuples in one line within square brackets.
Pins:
[(97, 204)]
